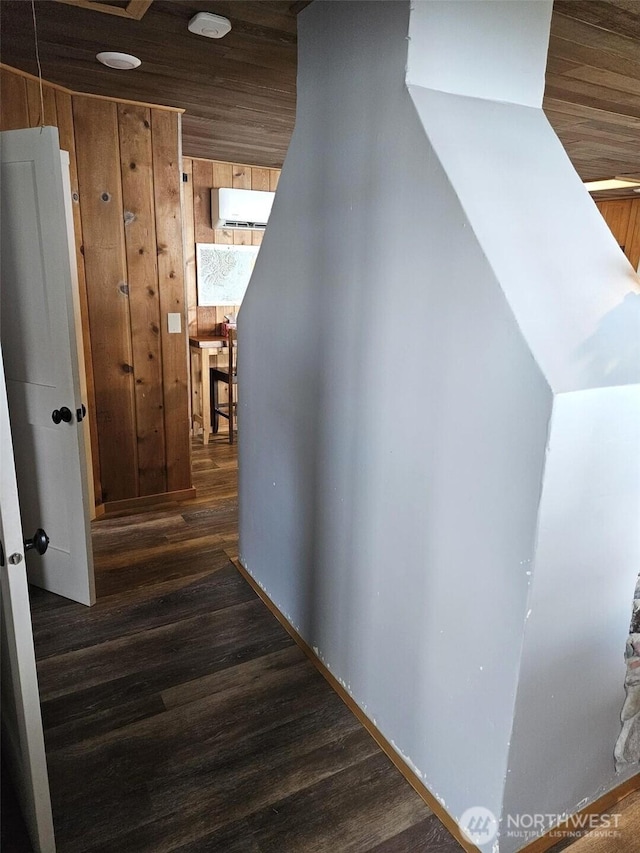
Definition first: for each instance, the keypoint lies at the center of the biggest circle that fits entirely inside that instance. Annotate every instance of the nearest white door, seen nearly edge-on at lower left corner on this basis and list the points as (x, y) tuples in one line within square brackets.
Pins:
[(22, 738)]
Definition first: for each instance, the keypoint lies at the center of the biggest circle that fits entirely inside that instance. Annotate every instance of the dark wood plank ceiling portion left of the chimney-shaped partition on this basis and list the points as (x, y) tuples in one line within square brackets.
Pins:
[(239, 92)]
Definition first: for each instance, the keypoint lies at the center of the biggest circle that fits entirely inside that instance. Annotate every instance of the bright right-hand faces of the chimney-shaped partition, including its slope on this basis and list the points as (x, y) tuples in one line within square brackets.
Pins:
[(576, 299)]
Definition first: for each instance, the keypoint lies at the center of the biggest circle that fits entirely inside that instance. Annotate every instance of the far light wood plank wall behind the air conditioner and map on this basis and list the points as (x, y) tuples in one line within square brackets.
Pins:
[(202, 176)]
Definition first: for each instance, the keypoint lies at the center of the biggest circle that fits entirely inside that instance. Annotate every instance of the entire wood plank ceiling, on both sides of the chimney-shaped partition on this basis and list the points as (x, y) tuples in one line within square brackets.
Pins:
[(239, 92)]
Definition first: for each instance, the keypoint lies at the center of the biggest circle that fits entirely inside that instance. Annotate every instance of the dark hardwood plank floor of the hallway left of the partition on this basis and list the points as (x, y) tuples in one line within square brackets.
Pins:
[(180, 716)]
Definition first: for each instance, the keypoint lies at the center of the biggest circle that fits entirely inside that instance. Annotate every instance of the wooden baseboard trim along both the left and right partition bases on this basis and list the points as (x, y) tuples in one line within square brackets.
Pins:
[(554, 836)]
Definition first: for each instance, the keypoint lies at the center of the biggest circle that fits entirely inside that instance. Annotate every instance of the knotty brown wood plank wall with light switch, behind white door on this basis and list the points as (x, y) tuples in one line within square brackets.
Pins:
[(125, 178)]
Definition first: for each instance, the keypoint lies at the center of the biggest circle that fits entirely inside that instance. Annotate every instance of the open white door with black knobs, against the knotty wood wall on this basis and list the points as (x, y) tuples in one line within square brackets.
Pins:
[(38, 316)]
